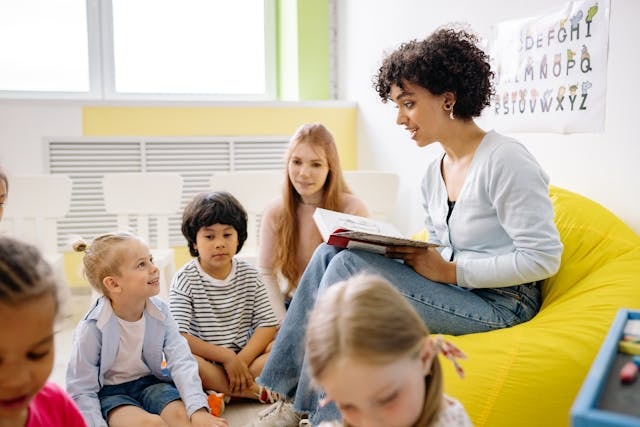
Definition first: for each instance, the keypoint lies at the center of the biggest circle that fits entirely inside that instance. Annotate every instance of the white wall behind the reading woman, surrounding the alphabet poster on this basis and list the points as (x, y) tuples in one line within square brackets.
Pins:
[(604, 167)]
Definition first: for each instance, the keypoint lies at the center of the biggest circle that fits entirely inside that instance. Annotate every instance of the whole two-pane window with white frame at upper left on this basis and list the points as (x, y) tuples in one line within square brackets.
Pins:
[(142, 49)]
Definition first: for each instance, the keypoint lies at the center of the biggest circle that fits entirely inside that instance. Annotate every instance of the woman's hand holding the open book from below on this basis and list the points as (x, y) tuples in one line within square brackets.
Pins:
[(427, 262)]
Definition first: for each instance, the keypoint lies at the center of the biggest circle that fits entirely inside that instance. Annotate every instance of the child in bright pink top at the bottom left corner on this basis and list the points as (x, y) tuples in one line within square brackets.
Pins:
[(29, 305)]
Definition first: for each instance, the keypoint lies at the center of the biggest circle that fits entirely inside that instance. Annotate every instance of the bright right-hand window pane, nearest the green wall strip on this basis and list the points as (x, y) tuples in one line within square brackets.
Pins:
[(189, 47)]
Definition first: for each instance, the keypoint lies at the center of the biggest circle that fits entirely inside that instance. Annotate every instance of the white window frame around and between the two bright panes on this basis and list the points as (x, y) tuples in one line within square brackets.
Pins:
[(102, 65)]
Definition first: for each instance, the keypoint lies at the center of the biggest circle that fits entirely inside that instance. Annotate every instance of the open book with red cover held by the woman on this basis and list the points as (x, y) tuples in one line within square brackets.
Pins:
[(357, 232)]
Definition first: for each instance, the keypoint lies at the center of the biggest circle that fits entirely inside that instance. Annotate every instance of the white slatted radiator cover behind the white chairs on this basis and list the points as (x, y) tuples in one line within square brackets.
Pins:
[(87, 159)]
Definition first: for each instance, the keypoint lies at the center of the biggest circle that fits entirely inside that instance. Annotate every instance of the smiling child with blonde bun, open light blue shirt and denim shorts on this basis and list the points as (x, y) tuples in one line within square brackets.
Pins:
[(116, 373)]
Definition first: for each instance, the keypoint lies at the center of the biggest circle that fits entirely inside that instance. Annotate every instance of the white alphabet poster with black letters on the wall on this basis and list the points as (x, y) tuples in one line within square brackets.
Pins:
[(551, 70)]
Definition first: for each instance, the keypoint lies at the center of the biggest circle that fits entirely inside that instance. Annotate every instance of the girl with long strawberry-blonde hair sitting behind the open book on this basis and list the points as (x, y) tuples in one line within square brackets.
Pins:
[(288, 235)]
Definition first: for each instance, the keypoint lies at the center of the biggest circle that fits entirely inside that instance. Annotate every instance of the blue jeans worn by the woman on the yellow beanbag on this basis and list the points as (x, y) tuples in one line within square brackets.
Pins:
[(446, 309)]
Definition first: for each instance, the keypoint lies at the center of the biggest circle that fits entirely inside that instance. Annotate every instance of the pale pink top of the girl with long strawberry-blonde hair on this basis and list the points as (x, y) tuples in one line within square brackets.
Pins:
[(311, 237)]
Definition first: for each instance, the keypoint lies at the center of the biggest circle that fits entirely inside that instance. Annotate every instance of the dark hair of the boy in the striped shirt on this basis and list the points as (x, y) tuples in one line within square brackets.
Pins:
[(218, 207)]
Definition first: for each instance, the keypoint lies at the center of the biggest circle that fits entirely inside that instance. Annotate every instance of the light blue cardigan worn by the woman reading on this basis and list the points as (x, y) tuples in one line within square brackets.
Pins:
[(501, 231)]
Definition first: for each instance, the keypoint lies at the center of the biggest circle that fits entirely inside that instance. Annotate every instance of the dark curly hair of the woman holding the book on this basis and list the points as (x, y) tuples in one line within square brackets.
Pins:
[(449, 60)]
